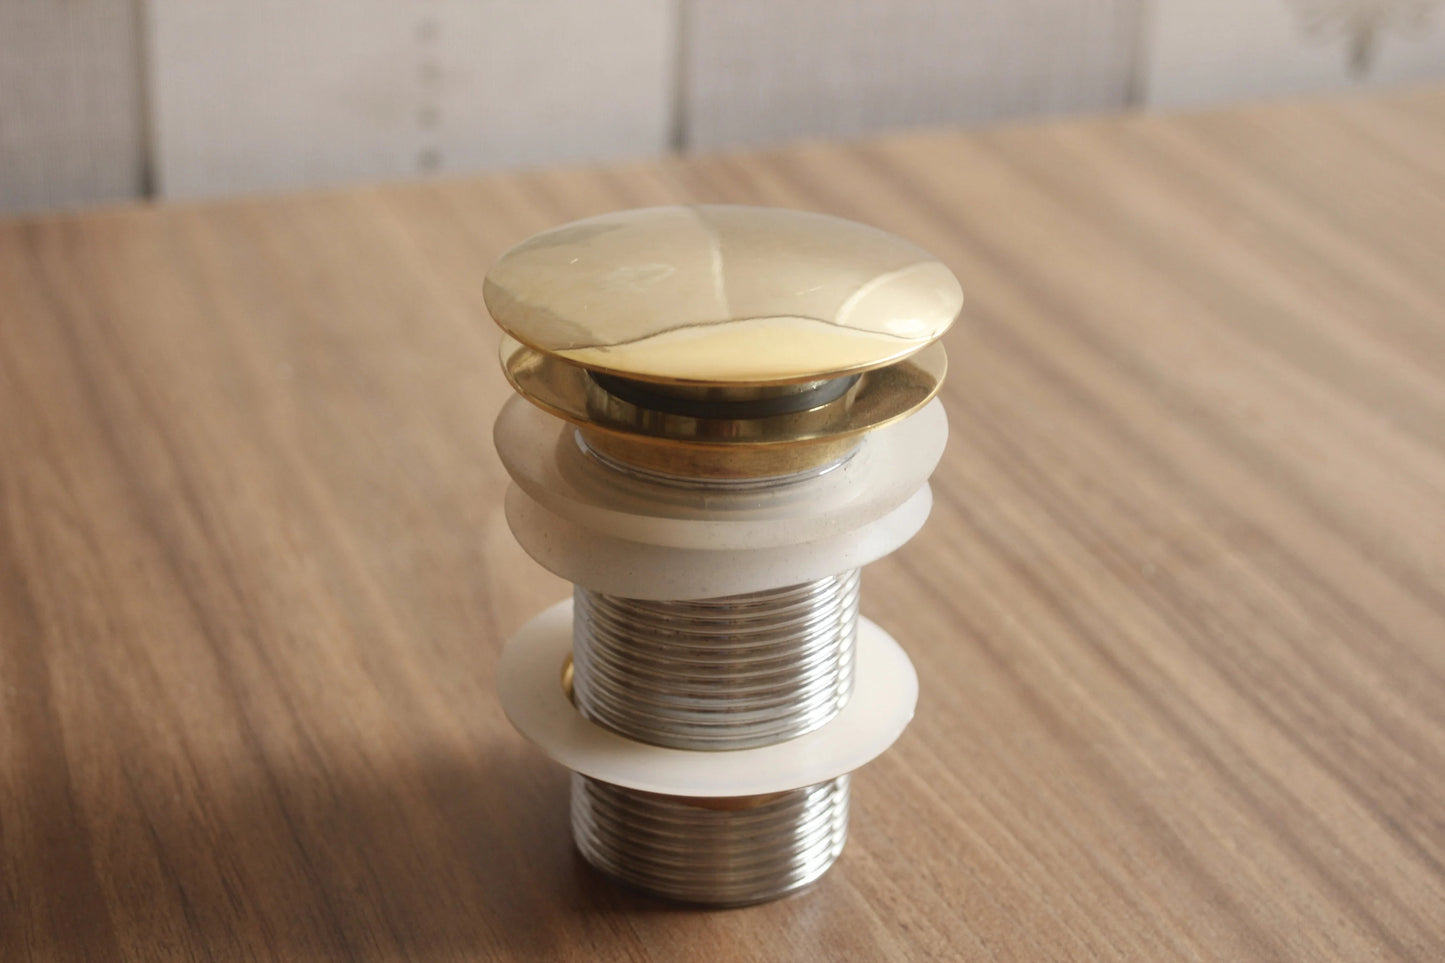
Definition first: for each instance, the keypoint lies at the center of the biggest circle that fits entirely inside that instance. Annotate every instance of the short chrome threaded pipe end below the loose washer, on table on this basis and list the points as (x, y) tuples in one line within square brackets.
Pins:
[(725, 852)]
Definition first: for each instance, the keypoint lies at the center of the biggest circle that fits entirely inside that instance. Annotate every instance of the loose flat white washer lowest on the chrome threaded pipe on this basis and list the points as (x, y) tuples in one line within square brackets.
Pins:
[(531, 688)]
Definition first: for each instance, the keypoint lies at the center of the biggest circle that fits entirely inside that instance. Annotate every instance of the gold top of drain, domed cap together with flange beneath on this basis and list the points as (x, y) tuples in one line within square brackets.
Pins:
[(722, 341)]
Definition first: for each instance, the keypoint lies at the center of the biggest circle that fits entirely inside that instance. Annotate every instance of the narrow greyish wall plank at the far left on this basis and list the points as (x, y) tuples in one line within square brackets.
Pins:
[(70, 103)]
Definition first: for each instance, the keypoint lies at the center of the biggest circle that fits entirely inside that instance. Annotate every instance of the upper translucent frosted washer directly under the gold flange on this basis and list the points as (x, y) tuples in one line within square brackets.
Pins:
[(543, 458)]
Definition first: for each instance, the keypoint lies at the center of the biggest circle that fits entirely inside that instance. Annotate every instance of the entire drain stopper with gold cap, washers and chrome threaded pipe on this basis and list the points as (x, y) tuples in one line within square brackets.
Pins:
[(732, 411)]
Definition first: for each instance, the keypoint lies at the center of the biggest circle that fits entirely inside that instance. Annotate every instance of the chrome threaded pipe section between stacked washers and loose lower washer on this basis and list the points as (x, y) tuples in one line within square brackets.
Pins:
[(729, 673)]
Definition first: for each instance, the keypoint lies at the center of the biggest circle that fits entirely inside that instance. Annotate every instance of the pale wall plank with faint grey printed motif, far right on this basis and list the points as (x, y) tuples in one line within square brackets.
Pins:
[(1215, 51)]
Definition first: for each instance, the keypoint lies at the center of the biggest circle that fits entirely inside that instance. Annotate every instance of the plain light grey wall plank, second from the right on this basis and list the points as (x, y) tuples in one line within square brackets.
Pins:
[(765, 70)]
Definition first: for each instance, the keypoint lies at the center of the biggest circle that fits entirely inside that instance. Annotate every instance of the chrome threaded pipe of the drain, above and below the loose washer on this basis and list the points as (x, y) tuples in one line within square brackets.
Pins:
[(715, 675)]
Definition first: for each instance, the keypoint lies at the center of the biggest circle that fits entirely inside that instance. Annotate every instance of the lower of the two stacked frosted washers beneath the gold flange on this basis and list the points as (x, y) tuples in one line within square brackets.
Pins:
[(637, 570)]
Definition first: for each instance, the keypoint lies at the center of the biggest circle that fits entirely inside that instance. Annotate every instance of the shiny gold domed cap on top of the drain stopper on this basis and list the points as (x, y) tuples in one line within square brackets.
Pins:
[(722, 296)]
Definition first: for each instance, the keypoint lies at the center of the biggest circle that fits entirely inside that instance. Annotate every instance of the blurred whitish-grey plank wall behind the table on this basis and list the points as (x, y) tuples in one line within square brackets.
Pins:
[(105, 100)]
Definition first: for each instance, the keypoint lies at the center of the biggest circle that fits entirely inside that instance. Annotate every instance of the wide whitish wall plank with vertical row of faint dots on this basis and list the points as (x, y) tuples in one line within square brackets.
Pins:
[(258, 95)]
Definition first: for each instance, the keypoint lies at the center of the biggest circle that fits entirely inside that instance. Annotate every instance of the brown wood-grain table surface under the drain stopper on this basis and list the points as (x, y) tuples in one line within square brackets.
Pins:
[(1180, 614)]
